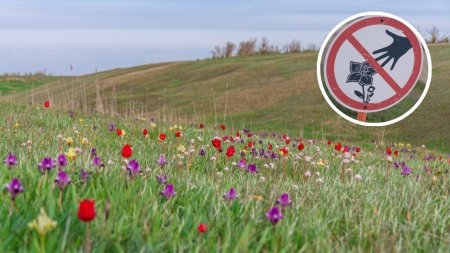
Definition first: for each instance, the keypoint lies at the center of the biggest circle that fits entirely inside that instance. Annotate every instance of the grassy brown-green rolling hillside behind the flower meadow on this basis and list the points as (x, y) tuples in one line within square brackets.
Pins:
[(265, 93)]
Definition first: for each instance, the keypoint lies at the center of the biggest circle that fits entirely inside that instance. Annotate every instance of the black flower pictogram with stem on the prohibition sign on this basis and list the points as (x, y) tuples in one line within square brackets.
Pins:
[(362, 74)]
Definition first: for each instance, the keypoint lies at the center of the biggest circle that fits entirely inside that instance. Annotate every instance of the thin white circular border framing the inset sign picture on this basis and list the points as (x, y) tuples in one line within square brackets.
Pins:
[(319, 70)]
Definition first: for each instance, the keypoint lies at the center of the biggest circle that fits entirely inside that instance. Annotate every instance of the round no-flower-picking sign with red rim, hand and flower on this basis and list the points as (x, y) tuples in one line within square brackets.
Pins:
[(372, 62)]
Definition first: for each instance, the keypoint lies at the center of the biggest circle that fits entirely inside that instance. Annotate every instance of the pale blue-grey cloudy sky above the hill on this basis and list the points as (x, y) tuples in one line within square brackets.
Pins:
[(92, 35)]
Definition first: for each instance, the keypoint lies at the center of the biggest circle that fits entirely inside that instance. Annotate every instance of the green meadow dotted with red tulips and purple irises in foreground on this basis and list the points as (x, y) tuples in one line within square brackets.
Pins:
[(75, 182)]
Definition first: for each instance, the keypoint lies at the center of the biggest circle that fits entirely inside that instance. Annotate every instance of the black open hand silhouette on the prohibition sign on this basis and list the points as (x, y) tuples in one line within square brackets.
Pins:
[(395, 50)]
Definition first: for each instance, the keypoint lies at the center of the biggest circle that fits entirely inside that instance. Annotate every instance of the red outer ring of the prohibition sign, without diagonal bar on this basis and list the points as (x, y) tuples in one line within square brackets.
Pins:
[(332, 83)]
